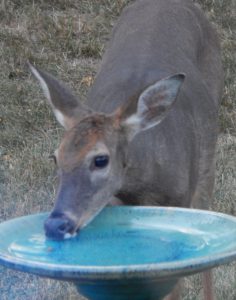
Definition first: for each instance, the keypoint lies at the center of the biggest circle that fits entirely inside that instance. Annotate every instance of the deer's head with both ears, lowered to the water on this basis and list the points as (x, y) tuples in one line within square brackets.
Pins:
[(92, 155)]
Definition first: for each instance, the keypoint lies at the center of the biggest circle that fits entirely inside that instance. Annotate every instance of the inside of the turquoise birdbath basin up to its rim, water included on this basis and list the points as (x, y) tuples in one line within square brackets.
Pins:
[(121, 236)]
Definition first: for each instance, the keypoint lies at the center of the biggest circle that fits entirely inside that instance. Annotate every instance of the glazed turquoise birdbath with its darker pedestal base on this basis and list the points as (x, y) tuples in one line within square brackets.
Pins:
[(125, 252)]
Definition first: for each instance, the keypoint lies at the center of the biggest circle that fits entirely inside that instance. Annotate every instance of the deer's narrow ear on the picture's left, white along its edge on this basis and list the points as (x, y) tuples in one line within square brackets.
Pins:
[(66, 107)]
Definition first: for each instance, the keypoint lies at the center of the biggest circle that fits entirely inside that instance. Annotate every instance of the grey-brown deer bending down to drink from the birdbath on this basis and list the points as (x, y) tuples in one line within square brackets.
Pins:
[(148, 130)]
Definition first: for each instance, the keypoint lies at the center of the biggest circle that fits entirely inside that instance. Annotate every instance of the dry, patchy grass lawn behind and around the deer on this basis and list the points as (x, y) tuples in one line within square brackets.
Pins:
[(67, 38)]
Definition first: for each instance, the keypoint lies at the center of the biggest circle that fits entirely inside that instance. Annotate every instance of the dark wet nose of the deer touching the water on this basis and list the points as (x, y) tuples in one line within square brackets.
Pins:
[(59, 228)]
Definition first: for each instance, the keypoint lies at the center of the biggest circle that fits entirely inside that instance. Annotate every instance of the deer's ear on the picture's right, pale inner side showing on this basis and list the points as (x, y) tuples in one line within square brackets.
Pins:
[(153, 105)]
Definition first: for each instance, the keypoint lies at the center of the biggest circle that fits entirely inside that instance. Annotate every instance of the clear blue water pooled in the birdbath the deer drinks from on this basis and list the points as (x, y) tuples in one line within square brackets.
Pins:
[(108, 247)]
